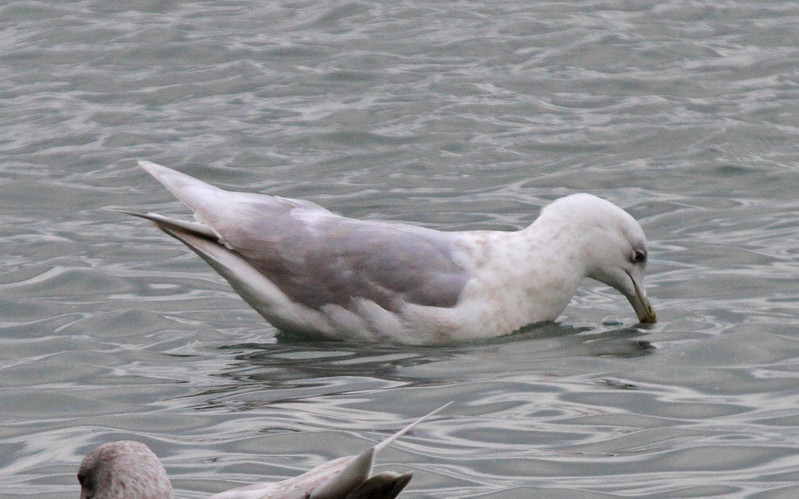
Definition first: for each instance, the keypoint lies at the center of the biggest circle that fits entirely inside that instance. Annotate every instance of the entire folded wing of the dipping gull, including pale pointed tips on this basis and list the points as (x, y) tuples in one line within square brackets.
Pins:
[(313, 256)]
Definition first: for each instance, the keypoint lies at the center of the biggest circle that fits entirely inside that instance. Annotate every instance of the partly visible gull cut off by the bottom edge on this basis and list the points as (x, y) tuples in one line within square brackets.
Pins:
[(128, 469)]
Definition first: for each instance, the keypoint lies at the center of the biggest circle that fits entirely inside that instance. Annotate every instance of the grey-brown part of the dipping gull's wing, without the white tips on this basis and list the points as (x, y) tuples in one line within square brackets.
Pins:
[(319, 258)]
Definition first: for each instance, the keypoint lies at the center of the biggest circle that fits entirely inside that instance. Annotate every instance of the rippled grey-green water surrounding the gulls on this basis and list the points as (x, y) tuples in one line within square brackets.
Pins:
[(452, 115)]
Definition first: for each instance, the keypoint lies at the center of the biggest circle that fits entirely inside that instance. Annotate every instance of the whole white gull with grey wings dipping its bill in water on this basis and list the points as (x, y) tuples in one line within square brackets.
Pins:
[(308, 270)]
